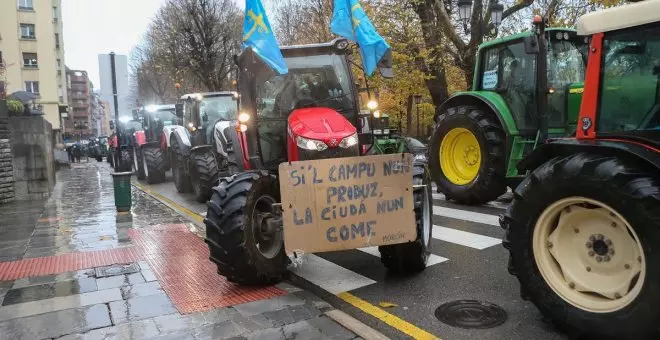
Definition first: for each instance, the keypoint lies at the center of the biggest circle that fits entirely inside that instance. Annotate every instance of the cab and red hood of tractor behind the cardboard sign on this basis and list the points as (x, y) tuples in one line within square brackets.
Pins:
[(309, 113)]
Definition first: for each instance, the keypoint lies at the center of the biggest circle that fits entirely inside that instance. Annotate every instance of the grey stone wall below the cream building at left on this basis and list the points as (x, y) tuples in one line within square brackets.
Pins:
[(31, 140)]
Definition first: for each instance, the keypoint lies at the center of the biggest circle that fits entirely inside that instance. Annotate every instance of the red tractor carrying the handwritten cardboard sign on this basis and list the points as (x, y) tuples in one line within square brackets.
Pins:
[(310, 113)]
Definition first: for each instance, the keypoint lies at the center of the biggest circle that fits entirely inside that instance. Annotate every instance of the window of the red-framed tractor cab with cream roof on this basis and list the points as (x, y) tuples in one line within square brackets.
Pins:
[(630, 85)]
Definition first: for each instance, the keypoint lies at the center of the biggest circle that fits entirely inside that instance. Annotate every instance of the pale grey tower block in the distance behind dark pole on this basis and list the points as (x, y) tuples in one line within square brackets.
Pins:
[(105, 74)]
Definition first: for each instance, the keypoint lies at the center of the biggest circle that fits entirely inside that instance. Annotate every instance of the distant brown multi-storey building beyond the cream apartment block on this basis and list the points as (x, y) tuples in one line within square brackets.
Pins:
[(78, 124)]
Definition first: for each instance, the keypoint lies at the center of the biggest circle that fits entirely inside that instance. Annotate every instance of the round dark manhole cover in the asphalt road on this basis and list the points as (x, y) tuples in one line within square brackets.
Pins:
[(471, 314)]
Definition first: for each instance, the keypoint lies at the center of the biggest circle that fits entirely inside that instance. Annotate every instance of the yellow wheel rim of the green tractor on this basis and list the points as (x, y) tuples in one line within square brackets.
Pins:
[(460, 156)]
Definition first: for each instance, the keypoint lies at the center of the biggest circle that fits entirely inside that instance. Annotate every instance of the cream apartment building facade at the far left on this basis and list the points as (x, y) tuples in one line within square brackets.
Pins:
[(32, 54)]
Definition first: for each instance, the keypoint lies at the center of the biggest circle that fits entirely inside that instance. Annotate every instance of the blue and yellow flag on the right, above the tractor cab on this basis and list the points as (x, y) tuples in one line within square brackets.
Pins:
[(351, 22)]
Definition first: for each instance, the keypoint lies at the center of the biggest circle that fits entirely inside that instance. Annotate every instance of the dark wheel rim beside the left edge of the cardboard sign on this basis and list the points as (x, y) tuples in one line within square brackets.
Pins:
[(269, 245)]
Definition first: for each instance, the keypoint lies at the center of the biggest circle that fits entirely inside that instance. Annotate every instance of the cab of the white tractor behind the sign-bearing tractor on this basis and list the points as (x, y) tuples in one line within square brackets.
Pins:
[(204, 113)]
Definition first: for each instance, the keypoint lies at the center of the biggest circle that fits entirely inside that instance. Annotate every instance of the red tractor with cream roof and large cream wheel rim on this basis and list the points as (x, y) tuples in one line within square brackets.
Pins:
[(583, 230)]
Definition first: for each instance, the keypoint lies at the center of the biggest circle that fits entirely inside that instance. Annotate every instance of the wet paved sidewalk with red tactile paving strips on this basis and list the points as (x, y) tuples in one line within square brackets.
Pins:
[(72, 268)]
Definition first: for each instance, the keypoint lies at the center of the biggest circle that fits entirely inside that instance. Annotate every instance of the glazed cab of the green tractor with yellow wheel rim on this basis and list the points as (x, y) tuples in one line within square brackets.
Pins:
[(509, 67)]
